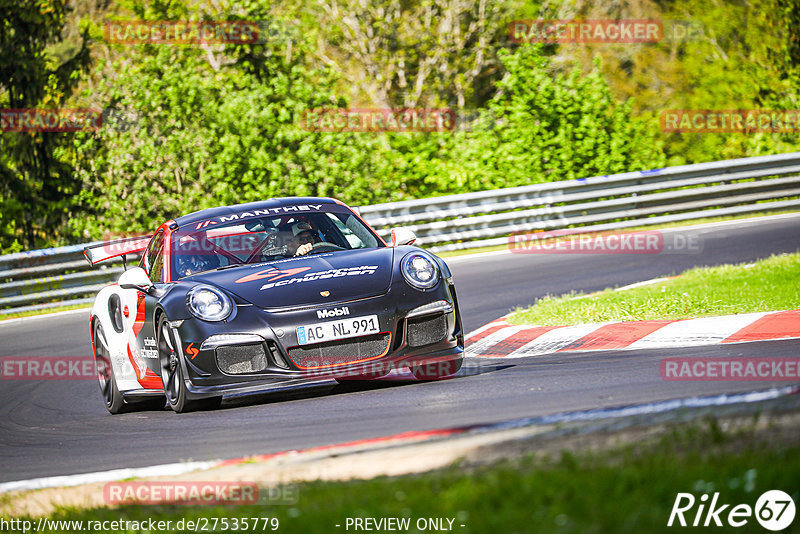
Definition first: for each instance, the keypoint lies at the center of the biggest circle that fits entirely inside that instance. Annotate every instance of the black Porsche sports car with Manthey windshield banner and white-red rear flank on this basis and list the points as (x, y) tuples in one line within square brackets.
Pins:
[(268, 294)]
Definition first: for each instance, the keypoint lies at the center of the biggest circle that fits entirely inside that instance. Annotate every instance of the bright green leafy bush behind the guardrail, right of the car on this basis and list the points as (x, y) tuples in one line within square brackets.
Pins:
[(549, 126)]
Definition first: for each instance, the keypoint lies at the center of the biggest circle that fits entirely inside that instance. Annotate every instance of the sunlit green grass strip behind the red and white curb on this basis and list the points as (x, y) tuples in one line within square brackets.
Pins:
[(770, 284)]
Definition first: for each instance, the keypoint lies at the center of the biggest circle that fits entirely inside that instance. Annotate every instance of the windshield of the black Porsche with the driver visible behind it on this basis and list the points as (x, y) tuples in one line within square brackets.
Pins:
[(250, 238)]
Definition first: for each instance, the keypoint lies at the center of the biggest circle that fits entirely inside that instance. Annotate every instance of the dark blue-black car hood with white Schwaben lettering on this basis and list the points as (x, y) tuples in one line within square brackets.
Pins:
[(320, 279)]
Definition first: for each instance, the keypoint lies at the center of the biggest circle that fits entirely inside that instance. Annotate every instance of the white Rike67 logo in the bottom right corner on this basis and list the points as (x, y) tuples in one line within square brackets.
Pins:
[(774, 511)]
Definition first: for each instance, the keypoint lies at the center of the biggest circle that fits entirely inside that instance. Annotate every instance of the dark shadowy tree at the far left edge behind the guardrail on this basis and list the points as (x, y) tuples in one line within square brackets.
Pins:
[(37, 185)]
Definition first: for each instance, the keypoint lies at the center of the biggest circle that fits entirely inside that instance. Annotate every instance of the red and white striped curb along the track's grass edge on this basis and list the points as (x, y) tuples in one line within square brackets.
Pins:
[(500, 339)]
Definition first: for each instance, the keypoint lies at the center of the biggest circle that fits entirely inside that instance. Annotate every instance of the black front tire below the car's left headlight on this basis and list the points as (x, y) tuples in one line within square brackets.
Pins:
[(172, 376)]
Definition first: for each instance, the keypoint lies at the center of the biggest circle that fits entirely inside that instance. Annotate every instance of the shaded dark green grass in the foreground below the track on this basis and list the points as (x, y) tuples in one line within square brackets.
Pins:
[(622, 490)]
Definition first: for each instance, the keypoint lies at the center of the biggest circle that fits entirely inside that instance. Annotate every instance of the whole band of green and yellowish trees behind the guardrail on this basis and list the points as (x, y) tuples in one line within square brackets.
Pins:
[(195, 126)]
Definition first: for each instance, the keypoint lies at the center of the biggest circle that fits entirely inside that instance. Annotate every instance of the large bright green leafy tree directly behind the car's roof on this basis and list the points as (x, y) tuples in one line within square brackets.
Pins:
[(215, 125)]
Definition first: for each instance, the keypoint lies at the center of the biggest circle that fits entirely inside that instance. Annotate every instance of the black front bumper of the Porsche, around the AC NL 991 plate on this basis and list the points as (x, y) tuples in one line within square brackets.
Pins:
[(257, 349)]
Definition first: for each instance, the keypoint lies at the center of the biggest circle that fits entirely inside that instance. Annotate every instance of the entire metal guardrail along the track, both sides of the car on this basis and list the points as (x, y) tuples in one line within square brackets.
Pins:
[(58, 276)]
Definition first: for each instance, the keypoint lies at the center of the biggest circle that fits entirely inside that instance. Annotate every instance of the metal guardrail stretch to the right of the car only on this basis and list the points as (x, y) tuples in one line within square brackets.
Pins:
[(617, 201)]
